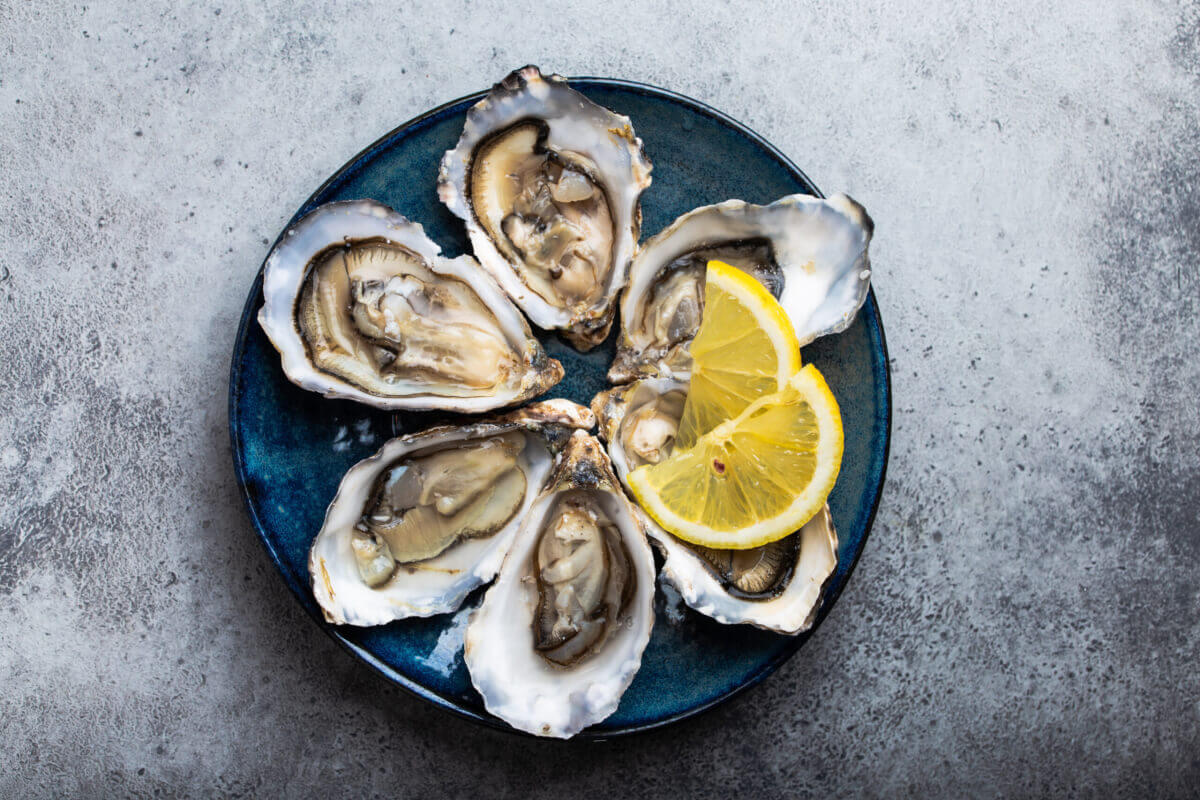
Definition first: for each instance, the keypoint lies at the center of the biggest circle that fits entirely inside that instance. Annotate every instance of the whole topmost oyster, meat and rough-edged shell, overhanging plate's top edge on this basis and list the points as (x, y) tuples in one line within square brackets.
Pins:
[(548, 184)]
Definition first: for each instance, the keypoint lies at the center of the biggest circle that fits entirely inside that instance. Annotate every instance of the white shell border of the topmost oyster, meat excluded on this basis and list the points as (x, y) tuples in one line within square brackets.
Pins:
[(577, 125)]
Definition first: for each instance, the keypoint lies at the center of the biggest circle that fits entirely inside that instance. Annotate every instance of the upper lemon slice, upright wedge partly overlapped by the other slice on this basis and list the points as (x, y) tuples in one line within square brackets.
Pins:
[(746, 348)]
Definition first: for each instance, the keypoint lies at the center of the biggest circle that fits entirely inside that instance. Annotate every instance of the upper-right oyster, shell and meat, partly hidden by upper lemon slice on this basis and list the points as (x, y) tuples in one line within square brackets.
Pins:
[(811, 254)]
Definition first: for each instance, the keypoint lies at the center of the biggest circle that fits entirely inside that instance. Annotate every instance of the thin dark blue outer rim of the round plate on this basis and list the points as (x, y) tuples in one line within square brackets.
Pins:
[(302, 592)]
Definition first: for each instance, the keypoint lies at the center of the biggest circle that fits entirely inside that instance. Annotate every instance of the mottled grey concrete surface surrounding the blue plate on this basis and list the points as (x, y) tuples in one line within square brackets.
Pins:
[(1025, 619)]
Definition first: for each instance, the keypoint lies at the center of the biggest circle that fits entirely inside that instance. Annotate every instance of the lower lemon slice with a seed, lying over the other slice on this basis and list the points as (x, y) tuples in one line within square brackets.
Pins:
[(754, 479)]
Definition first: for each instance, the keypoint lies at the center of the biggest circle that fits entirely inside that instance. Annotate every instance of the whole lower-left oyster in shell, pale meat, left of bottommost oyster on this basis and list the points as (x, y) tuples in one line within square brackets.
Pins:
[(422, 524)]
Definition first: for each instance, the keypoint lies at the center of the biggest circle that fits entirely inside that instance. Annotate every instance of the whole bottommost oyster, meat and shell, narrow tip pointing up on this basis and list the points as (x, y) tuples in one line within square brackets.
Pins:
[(561, 634)]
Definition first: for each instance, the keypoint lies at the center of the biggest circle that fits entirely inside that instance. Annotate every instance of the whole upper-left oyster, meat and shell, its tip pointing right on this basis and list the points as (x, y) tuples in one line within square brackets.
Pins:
[(362, 306)]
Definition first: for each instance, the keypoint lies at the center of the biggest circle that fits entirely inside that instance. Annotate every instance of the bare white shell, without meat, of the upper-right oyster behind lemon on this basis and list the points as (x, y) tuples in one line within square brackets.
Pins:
[(820, 245)]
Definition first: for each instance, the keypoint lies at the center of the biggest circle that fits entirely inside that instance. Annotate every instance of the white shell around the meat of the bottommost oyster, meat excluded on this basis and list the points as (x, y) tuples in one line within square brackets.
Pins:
[(518, 684)]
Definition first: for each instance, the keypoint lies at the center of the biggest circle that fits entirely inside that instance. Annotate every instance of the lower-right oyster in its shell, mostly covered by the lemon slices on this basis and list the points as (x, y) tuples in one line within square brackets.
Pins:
[(776, 587)]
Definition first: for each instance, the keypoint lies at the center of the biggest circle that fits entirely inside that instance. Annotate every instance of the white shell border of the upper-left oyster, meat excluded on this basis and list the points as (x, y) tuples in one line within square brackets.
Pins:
[(334, 224)]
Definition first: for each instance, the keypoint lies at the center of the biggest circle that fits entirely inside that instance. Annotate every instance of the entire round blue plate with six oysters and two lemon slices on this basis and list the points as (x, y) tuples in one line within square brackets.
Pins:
[(506, 521)]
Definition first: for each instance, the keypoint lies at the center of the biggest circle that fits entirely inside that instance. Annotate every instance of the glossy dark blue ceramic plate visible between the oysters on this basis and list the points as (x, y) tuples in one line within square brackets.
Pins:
[(292, 447)]
